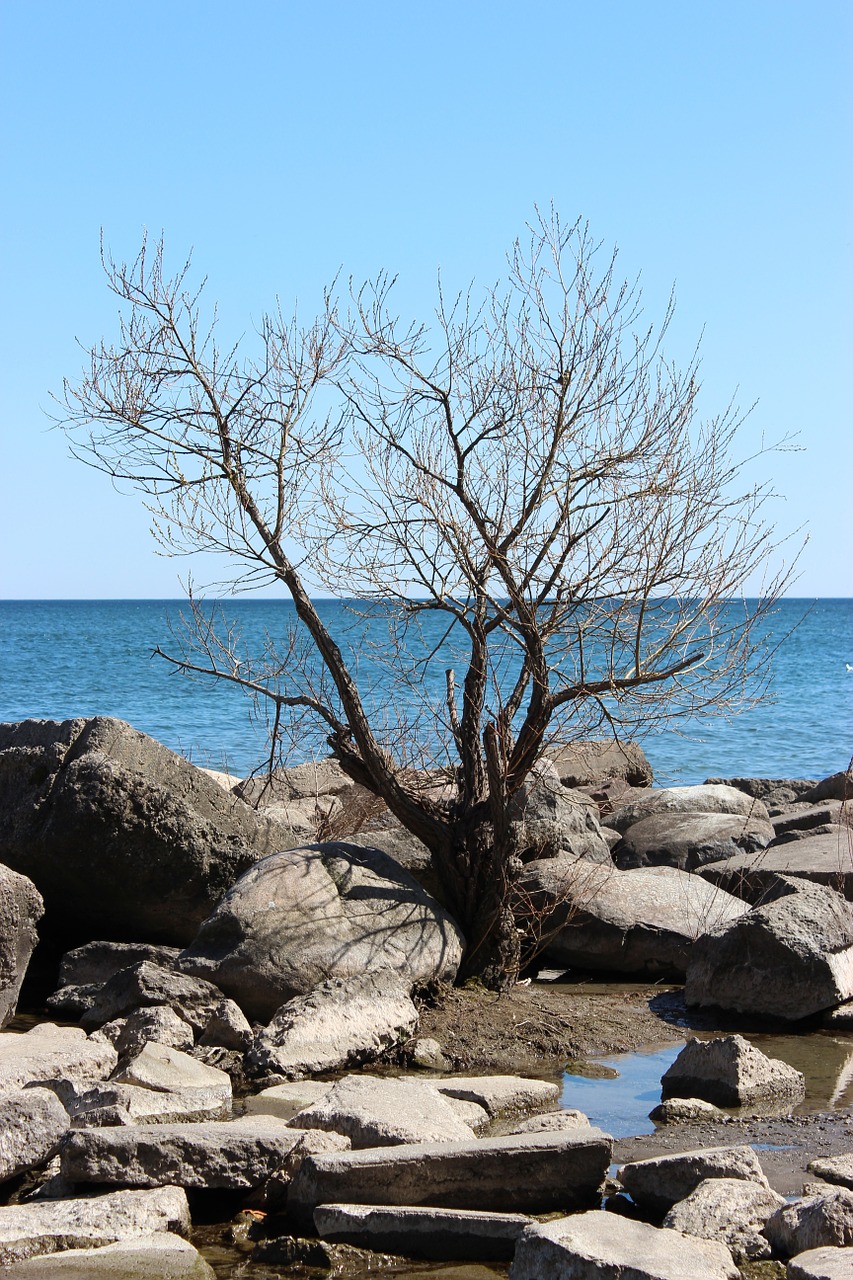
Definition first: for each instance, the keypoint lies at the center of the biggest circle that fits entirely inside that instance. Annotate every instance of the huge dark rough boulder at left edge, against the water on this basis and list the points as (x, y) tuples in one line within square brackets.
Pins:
[(122, 838)]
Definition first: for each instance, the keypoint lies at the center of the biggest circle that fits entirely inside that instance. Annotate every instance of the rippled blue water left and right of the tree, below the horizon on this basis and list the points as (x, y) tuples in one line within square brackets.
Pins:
[(84, 659)]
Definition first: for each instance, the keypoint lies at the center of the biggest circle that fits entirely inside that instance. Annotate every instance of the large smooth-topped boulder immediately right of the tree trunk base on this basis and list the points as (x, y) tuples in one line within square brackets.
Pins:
[(644, 921)]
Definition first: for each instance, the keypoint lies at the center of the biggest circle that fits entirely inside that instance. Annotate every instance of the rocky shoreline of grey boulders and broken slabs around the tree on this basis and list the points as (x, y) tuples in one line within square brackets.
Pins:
[(256, 1003)]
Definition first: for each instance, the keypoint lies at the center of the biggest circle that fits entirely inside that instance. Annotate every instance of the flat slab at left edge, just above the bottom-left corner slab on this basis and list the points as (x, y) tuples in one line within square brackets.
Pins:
[(51, 1227)]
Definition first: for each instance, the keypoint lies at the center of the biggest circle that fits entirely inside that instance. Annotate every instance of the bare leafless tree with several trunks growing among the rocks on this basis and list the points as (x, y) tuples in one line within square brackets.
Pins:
[(527, 483)]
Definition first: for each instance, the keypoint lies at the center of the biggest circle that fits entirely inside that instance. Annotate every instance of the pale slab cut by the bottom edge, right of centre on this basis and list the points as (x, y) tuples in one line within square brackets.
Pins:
[(597, 1246)]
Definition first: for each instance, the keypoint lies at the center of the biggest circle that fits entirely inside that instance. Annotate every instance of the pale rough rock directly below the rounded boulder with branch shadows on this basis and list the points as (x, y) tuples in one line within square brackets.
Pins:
[(341, 1023)]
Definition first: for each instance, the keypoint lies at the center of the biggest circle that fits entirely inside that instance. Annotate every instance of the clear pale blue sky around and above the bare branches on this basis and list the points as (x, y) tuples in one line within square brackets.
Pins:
[(284, 141)]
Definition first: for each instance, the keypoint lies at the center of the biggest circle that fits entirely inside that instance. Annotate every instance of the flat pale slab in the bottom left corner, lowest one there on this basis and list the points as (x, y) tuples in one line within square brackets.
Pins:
[(162, 1256)]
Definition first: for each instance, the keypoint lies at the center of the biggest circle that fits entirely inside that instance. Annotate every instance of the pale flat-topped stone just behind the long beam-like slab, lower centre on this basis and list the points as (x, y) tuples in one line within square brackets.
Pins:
[(384, 1113)]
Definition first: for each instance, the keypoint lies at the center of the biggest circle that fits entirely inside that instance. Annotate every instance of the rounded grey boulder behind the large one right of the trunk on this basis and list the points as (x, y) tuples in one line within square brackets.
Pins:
[(691, 840)]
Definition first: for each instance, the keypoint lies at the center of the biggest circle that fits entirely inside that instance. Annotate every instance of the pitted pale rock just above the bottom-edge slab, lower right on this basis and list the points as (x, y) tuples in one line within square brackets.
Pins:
[(728, 1210)]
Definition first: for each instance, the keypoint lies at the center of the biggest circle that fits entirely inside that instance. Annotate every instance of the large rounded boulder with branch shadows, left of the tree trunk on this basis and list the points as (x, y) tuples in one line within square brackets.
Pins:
[(329, 911)]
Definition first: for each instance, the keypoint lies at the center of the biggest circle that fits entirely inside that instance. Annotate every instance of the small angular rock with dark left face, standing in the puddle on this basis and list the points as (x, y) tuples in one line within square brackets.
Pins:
[(732, 1073)]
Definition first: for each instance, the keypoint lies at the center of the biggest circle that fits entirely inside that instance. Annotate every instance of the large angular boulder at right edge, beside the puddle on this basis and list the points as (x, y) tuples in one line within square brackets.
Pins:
[(790, 959)]
